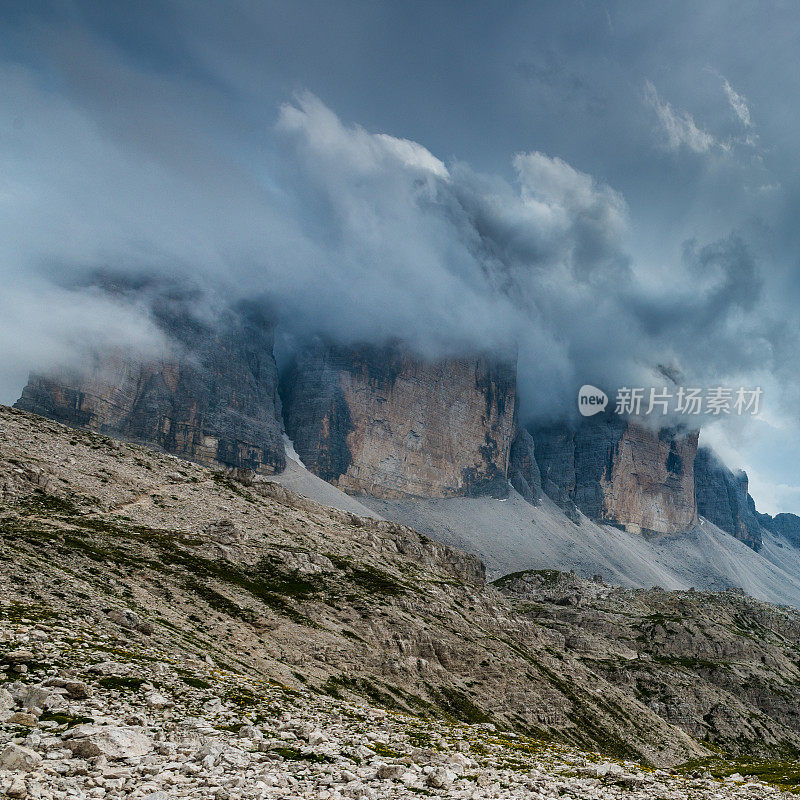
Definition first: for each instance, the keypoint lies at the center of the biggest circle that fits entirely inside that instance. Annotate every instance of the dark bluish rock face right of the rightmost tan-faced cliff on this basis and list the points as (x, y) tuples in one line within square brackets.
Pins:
[(723, 499)]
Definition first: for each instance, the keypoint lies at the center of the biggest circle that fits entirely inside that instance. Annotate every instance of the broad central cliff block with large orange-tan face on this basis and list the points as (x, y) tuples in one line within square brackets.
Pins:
[(381, 422)]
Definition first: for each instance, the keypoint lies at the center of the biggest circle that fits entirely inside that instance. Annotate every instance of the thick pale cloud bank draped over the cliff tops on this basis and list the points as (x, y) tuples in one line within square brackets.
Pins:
[(354, 235)]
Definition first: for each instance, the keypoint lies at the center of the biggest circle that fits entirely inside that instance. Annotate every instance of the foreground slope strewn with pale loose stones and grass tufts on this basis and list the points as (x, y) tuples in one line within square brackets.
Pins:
[(116, 713)]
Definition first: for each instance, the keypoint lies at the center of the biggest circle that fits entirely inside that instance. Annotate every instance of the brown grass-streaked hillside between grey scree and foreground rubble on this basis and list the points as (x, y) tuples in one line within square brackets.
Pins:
[(166, 556)]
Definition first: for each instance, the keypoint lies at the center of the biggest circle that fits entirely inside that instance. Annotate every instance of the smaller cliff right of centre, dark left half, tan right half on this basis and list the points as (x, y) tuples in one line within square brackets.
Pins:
[(620, 472)]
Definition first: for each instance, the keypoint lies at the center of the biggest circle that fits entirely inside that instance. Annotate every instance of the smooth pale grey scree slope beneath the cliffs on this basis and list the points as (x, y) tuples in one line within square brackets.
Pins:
[(511, 535)]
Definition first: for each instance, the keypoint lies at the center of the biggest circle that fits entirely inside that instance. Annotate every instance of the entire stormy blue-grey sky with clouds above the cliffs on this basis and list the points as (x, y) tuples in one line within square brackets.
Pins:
[(608, 187)]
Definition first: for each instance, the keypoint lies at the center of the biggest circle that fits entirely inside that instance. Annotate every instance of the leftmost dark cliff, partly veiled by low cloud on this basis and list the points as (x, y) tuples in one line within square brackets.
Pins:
[(212, 398)]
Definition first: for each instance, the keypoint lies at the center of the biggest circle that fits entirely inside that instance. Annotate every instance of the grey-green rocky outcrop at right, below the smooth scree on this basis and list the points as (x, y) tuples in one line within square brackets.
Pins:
[(698, 659)]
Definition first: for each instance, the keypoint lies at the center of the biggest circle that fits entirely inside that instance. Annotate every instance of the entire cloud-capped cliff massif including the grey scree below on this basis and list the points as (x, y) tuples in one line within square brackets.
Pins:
[(436, 444)]
